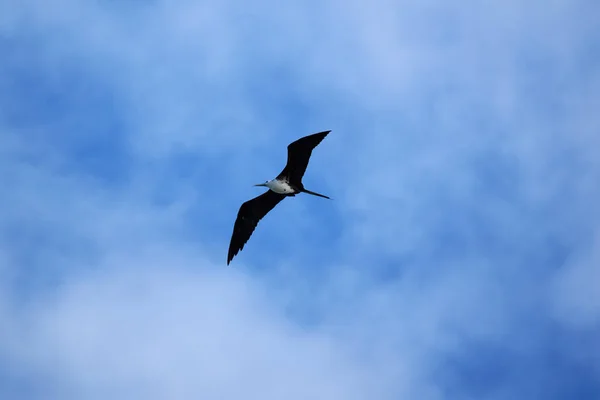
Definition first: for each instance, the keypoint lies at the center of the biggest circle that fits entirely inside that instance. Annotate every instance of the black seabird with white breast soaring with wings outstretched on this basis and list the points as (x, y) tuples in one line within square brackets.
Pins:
[(287, 184)]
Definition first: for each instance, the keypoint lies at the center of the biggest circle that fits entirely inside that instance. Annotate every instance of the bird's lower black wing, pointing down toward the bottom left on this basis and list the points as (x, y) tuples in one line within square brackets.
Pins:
[(250, 213)]
